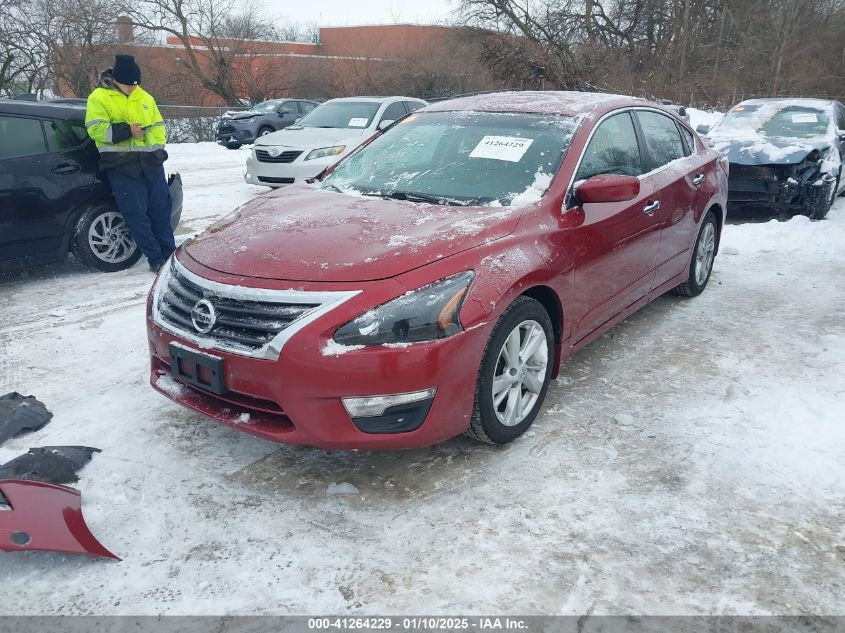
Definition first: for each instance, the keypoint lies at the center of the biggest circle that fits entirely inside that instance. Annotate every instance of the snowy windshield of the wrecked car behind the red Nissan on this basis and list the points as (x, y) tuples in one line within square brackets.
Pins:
[(775, 119)]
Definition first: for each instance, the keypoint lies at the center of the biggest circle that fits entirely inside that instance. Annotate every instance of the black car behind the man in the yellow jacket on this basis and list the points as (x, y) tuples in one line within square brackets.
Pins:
[(53, 198)]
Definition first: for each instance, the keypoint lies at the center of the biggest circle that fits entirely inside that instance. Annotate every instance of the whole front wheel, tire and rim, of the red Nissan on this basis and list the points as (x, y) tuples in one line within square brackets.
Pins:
[(500, 423)]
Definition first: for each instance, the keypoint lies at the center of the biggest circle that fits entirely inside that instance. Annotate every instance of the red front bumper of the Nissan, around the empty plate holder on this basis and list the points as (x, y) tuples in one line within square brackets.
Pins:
[(296, 398)]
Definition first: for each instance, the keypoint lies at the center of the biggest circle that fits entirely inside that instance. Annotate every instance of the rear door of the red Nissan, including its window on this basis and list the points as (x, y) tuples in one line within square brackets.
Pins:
[(686, 176)]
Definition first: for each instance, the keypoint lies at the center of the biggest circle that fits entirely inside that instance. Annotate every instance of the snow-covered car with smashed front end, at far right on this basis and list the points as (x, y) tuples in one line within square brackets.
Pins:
[(785, 154)]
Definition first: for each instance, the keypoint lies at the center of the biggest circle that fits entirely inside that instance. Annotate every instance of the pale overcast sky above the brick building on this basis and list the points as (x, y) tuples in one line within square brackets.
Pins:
[(352, 12)]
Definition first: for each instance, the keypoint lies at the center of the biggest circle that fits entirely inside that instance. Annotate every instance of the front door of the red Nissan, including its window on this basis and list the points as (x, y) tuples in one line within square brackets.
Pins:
[(615, 249)]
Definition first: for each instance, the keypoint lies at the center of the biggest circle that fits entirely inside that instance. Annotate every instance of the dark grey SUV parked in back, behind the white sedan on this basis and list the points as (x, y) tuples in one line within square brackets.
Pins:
[(241, 128)]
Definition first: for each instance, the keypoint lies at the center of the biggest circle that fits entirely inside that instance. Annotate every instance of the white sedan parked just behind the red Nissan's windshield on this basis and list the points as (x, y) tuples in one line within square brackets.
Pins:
[(323, 137)]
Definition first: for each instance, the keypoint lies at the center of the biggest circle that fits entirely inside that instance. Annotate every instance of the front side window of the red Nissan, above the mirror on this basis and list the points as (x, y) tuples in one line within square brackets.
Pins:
[(613, 149)]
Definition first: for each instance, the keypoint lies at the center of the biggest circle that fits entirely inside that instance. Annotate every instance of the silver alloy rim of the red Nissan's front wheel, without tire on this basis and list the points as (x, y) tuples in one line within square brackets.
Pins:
[(520, 372)]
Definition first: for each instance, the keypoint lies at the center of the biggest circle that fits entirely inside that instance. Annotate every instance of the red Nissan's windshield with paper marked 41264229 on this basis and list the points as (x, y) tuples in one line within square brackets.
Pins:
[(460, 158)]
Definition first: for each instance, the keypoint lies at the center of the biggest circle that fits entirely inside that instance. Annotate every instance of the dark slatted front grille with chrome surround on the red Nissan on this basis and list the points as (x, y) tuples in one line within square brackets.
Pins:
[(244, 325)]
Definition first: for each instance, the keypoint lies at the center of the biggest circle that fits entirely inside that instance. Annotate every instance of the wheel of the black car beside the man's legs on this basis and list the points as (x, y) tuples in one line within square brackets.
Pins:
[(101, 240)]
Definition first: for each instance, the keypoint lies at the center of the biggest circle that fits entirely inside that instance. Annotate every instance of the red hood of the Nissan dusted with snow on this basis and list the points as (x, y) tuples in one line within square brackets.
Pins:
[(302, 233)]
